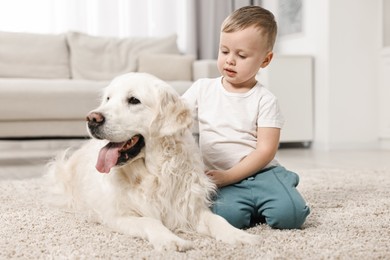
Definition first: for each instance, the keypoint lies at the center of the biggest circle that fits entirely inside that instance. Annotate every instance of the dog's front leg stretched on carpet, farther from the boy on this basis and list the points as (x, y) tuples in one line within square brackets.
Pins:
[(152, 230)]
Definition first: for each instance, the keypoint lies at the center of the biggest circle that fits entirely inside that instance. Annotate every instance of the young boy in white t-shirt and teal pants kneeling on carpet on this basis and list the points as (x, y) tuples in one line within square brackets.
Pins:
[(239, 127)]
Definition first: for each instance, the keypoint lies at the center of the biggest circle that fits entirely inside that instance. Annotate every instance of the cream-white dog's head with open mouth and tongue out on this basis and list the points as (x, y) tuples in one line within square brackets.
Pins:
[(135, 108)]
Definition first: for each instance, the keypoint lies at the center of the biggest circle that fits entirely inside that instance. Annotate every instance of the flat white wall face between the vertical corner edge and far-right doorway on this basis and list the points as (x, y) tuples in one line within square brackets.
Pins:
[(353, 65)]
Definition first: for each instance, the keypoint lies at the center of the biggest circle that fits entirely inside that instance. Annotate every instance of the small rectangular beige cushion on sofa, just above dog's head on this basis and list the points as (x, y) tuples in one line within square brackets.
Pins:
[(167, 66)]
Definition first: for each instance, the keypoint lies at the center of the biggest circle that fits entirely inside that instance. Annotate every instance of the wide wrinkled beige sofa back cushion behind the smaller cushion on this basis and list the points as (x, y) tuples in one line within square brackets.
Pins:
[(103, 58)]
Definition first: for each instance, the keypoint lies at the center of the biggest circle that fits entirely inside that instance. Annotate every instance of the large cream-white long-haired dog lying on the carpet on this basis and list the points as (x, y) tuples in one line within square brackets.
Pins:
[(141, 172)]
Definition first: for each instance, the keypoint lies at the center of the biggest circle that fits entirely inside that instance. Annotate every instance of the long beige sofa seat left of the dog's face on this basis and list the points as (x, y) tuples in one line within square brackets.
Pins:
[(42, 99)]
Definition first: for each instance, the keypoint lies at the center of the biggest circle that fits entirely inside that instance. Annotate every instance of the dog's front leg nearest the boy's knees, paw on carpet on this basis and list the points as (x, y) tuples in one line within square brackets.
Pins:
[(216, 226)]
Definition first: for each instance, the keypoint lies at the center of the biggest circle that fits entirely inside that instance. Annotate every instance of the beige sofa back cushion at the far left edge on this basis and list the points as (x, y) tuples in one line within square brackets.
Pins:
[(28, 55)]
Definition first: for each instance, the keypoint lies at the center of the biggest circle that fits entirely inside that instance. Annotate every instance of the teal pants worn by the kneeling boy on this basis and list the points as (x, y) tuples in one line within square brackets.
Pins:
[(269, 196)]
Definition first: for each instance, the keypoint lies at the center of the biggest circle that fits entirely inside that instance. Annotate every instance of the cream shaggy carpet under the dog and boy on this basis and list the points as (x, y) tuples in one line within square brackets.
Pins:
[(350, 220)]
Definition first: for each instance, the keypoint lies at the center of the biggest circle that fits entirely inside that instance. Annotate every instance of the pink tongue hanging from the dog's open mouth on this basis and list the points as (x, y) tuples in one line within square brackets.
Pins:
[(108, 157)]
